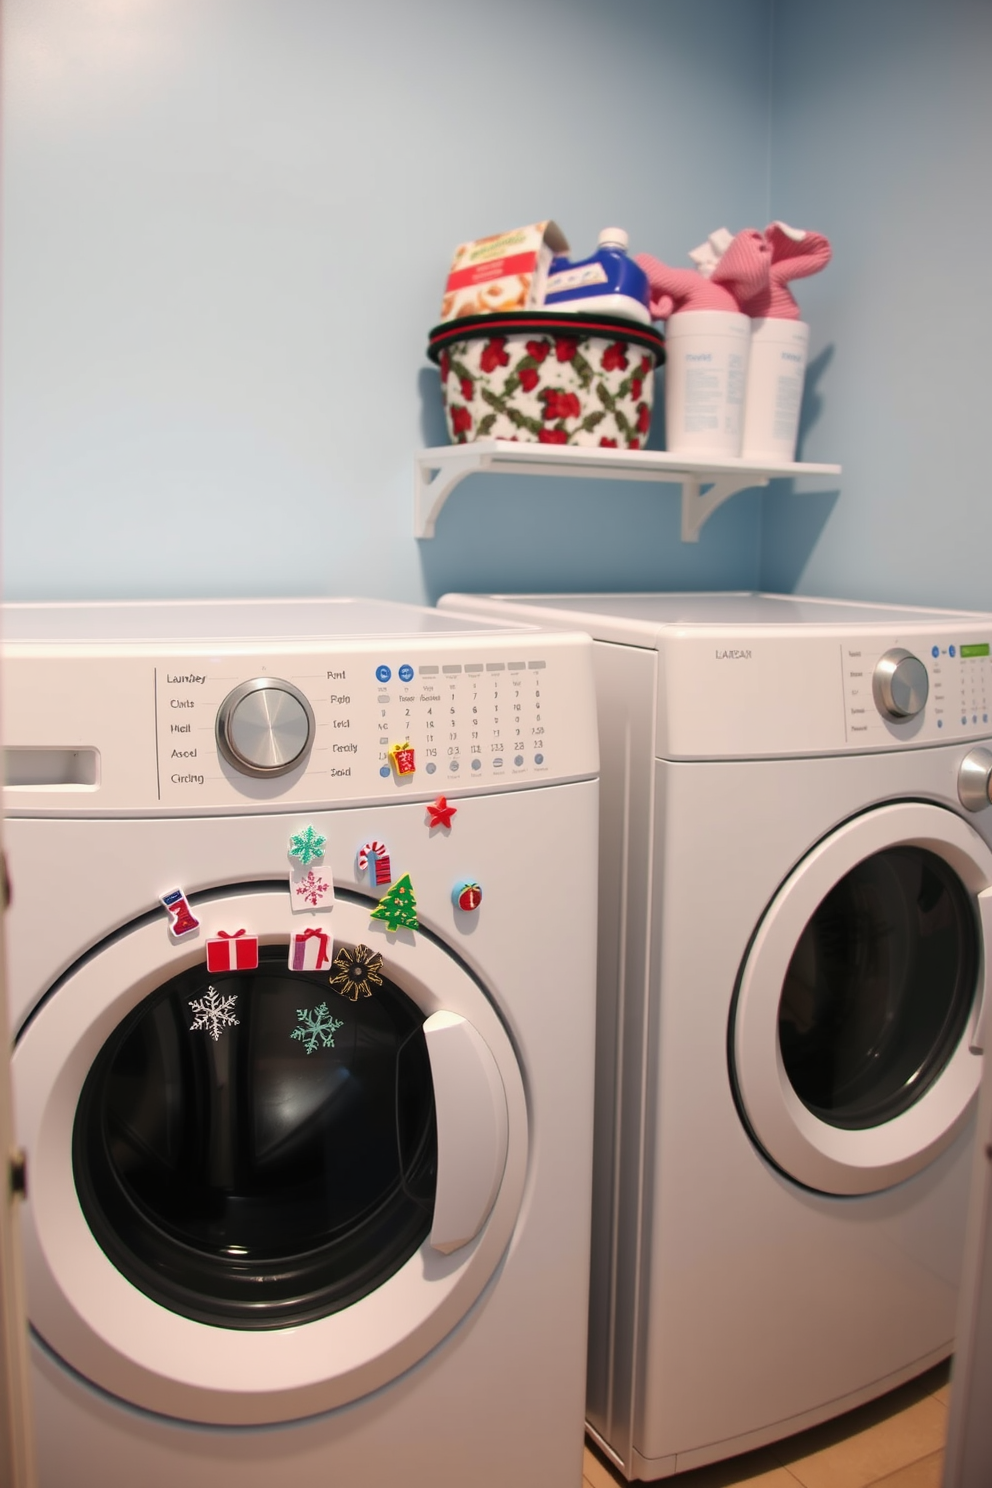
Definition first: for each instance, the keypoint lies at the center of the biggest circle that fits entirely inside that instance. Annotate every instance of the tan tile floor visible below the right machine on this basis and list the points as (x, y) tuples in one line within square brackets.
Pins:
[(895, 1443)]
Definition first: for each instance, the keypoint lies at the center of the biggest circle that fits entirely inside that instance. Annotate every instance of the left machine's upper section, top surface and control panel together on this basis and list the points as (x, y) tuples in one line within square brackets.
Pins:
[(264, 705)]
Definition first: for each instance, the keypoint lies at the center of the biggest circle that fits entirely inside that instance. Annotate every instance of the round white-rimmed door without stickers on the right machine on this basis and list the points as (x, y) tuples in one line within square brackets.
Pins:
[(859, 1008)]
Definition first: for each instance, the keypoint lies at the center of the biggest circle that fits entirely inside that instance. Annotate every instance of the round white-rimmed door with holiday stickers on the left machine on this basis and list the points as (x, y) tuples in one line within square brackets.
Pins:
[(255, 1199)]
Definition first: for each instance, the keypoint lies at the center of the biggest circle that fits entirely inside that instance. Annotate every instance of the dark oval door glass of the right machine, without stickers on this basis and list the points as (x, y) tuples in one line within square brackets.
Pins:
[(880, 989)]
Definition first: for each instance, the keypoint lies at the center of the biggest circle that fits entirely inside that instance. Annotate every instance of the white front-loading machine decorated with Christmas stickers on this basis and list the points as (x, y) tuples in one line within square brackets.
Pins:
[(303, 962)]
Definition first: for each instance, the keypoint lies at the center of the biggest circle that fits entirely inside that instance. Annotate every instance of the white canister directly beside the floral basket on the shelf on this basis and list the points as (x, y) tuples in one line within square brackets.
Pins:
[(706, 376)]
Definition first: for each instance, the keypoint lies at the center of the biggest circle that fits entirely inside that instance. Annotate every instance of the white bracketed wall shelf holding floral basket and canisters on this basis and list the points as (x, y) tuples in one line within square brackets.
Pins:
[(439, 471)]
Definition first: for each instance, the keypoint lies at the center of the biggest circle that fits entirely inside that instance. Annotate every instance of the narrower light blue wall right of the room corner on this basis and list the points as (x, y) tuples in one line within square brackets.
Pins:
[(883, 136)]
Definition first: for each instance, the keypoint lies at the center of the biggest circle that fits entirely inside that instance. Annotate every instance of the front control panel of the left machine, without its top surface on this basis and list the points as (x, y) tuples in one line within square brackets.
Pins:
[(207, 731)]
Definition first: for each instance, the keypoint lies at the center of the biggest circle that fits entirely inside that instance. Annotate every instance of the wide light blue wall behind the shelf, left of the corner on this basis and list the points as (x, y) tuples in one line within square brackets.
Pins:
[(227, 228)]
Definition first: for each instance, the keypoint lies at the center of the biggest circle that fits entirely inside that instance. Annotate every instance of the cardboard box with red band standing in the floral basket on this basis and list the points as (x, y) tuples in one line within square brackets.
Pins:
[(508, 272)]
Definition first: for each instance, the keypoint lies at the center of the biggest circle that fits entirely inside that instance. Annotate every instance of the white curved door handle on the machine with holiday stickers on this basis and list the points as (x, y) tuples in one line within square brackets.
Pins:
[(472, 1129)]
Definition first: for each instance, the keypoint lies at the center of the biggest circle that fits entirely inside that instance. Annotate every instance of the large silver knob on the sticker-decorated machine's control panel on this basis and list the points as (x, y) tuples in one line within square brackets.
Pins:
[(265, 727)]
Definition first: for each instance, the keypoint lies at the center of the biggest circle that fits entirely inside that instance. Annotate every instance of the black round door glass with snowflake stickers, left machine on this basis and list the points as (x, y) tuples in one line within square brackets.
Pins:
[(246, 1182)]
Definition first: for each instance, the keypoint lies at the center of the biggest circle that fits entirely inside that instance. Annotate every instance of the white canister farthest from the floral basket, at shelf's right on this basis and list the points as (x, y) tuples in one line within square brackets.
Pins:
[(776, 389)]
